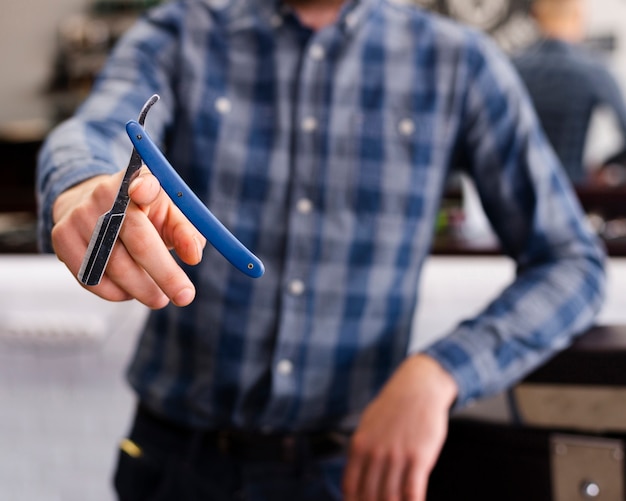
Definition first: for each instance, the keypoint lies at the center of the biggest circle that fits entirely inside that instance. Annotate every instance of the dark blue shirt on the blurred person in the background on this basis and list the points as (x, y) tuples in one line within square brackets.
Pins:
[(567, 86)]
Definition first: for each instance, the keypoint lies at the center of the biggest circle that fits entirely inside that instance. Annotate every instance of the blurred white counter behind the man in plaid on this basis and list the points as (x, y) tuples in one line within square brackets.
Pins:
[(63, 352)]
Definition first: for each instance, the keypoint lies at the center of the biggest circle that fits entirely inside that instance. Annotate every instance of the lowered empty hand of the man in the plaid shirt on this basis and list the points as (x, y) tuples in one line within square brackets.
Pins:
[(400, 436)]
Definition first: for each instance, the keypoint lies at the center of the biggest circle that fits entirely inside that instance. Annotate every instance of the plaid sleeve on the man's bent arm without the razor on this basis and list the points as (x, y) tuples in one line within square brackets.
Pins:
[(535, 213)]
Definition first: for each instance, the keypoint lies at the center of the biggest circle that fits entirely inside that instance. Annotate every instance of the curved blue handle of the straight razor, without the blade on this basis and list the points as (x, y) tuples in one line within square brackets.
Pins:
[(191, 206)]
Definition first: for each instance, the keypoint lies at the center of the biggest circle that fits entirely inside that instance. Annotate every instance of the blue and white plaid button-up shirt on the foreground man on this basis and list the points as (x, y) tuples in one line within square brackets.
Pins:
[(327, 154)]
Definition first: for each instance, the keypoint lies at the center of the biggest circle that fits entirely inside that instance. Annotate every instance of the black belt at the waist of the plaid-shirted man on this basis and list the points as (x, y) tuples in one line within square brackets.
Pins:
[(240, 444)]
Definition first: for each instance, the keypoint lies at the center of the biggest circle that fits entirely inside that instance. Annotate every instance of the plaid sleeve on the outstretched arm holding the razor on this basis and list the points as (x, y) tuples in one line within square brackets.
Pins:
[(94, 140)]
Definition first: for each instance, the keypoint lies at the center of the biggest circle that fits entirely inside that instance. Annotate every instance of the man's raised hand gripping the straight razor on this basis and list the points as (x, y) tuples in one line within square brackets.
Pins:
[(141, 265)]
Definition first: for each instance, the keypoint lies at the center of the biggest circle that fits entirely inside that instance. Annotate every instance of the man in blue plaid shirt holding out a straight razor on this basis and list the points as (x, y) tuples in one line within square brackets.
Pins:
[(321, 133)]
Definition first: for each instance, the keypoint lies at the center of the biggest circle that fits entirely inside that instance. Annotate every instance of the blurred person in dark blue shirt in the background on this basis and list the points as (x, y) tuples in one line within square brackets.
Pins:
[(567, 83)]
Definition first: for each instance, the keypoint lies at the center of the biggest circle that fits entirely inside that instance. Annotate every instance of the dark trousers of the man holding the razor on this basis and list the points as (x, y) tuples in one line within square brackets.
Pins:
[(163, 462)]
